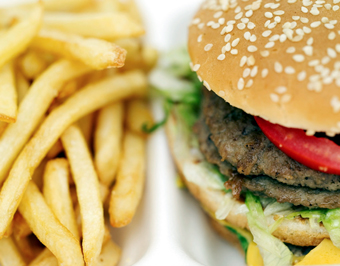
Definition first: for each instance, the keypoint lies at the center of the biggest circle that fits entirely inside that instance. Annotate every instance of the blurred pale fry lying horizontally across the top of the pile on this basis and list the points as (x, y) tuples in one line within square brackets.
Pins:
[(112, 25)]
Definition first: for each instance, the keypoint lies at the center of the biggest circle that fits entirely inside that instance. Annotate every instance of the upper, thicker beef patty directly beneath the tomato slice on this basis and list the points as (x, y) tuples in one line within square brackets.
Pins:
[(240, 141)]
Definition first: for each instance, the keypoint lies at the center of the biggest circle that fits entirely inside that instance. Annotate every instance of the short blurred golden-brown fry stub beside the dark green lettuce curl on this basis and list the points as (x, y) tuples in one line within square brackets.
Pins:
[(138, 115)]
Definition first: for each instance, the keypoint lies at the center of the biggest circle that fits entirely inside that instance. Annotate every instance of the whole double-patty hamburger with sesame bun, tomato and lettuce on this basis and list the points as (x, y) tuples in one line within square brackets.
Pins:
[(258, 146)]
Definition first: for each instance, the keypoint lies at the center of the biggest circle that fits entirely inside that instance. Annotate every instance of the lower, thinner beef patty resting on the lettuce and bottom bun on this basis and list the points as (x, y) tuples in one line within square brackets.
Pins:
[(264, 186)]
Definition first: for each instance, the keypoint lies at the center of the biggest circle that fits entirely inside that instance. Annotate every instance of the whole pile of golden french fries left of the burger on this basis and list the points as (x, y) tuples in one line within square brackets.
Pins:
[(73, 102)]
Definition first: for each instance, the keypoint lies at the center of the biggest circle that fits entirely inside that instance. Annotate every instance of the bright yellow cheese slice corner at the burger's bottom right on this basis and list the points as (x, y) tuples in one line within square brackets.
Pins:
[(324, 253)]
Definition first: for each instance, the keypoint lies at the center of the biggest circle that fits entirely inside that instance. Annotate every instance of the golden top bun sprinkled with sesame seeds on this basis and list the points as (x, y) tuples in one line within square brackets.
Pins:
[(279, 60)]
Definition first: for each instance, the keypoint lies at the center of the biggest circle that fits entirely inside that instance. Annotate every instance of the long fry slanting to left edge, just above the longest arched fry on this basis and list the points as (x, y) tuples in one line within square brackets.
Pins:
[(32, 109)]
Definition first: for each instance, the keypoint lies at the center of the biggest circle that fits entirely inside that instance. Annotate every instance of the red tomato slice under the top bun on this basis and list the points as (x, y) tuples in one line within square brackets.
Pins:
[(320, 154)]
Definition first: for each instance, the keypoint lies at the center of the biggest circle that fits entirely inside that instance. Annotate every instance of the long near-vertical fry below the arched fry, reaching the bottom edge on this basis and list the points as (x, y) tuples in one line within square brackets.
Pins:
[(88, 193)]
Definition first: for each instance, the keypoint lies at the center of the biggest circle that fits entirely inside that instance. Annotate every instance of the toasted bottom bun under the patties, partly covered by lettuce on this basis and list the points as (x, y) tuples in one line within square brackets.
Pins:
[(295, 231)]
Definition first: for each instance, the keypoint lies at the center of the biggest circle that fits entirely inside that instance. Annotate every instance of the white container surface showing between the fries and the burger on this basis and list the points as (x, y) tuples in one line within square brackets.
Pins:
[(170, 227)]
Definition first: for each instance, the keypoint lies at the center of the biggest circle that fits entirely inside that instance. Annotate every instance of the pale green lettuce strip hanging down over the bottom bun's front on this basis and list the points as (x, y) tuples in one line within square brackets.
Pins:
[(273, 251)]
